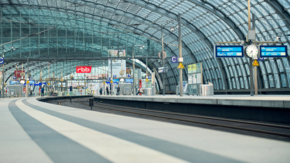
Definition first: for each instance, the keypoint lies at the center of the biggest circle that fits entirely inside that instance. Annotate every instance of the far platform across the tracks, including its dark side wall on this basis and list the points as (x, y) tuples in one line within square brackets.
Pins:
[(263, 108)]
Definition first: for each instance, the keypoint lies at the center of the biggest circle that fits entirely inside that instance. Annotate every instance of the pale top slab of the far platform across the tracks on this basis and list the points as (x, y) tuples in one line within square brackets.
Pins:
[(273, 101)]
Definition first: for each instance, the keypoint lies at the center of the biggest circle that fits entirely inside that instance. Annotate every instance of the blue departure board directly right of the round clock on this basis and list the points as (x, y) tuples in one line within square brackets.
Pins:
[(273, 51)]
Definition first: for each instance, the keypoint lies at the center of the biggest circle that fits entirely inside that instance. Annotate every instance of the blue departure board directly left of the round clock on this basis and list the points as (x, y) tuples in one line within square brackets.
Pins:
[(229, 51)]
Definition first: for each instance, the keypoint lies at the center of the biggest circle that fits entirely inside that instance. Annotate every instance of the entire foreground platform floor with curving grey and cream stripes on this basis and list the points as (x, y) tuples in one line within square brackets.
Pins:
[(33, 131)]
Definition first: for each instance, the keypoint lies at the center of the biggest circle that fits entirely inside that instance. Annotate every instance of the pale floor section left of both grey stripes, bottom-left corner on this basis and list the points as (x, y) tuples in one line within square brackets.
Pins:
[(15, 144)]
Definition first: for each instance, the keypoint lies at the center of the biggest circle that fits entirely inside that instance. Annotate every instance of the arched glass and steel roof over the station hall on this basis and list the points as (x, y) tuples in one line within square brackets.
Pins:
[(88, 28)]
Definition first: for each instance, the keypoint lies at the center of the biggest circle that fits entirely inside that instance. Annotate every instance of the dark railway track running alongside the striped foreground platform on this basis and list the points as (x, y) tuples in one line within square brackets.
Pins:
[(272, 129)]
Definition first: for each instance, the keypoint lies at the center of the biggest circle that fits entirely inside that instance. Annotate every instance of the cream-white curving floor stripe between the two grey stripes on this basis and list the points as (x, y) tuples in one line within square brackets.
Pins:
[(110, 147)]
